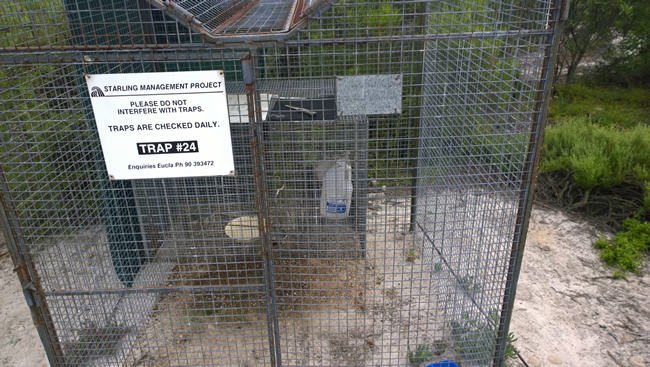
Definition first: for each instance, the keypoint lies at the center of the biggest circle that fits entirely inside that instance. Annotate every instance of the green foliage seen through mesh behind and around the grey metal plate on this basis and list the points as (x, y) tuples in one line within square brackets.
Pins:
[(490, 69)]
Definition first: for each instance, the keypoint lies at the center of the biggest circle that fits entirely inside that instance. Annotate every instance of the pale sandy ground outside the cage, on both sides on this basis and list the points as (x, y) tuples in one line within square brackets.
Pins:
[(568, 312)]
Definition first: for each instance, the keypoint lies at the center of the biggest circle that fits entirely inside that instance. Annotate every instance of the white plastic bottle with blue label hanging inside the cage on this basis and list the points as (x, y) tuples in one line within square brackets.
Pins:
[(336, 195)]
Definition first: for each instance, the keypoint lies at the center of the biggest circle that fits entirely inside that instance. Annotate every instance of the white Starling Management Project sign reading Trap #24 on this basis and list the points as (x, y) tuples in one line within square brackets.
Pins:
[(158, 125)]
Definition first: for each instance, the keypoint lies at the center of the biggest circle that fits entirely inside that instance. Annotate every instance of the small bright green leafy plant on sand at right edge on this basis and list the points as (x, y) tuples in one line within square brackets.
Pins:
[(626, 251)]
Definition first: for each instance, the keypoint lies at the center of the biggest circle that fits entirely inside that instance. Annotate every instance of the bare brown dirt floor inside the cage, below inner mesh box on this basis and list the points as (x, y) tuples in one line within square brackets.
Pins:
[(331, 311)]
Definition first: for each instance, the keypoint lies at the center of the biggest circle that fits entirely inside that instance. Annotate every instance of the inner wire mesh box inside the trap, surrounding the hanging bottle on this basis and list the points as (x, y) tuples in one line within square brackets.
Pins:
[(300, 134)]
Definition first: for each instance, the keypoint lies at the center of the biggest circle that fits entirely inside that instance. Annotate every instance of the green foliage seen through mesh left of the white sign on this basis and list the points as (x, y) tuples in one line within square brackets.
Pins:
[(43, 127)]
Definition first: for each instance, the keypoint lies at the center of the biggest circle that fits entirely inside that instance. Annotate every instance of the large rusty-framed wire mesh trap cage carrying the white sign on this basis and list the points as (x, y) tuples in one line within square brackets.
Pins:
[(422, 118)]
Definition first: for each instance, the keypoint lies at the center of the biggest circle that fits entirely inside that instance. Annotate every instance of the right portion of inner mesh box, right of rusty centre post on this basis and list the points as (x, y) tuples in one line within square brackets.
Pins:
[(301, 136)]
